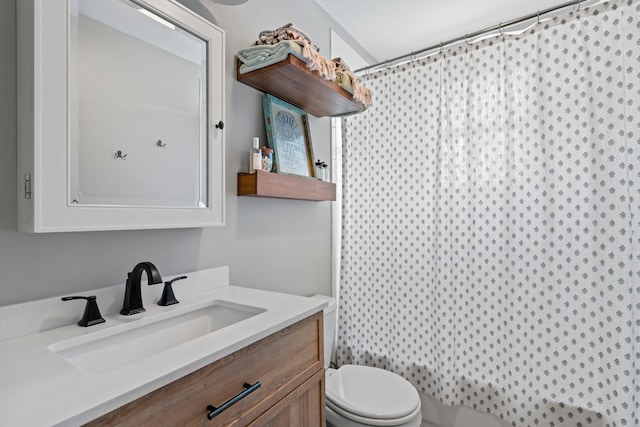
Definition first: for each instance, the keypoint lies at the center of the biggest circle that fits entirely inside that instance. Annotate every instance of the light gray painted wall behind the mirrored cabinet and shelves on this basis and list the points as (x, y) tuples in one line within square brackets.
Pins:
[(282, 245)]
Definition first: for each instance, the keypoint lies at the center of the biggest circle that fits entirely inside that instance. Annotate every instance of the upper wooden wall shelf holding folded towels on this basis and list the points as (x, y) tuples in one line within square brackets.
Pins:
[(291, 81)]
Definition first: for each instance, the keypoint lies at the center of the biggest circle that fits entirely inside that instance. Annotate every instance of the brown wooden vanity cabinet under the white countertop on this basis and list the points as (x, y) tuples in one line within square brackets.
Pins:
[(288, 364)]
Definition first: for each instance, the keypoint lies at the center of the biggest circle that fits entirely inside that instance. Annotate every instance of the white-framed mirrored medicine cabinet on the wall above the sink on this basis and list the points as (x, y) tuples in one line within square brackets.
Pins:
[(119, 103)]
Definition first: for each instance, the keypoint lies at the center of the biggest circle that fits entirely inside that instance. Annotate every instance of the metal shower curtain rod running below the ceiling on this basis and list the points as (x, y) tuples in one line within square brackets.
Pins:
[(499, 29)]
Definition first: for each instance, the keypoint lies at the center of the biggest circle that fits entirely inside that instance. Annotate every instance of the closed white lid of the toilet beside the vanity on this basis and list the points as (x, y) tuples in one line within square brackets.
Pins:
[(371, 392)]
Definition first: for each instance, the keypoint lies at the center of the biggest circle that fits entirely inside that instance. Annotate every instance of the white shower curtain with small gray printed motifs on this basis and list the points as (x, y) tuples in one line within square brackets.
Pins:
[(490, 238)]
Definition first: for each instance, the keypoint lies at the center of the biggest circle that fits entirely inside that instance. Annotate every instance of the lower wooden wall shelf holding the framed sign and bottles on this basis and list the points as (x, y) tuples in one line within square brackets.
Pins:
[(267, 184)]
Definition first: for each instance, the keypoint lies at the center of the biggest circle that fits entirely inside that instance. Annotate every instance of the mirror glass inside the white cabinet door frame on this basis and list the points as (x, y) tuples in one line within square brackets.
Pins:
[(137, 108)]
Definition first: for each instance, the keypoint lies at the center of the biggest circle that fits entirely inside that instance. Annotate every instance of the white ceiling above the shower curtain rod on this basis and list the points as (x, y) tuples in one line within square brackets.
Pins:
[(390, 28)]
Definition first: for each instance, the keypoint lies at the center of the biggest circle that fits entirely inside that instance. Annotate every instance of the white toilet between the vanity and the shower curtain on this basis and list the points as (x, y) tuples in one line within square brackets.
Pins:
[(359, 396)]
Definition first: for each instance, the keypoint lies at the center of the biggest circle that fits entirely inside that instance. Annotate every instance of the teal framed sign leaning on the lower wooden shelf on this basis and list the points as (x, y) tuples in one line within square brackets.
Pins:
[(288, 135)]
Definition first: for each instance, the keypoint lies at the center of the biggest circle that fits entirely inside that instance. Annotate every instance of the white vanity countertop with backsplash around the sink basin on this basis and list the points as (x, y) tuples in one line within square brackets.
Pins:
[(38, 388)]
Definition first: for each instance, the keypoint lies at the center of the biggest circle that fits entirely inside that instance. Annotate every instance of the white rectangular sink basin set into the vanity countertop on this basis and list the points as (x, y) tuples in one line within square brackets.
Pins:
[(105, 350)]
